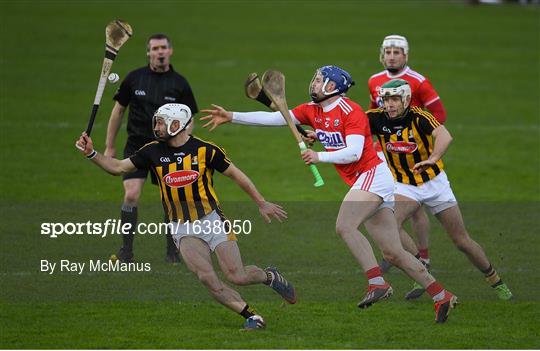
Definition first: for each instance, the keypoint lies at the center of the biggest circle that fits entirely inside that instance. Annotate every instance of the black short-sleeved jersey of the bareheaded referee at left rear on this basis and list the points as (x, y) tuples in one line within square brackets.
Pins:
[(145, 91)]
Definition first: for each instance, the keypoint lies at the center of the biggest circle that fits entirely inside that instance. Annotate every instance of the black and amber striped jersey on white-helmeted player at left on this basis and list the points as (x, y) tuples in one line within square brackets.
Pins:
[(184, 176)]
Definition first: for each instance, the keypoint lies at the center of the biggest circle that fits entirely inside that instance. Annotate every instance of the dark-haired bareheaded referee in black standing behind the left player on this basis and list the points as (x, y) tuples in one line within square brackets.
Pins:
[(144, 90)]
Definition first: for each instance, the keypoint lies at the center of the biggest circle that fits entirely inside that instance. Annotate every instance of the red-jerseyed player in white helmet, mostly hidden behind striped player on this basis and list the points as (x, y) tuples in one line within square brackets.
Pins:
[(394, 56)]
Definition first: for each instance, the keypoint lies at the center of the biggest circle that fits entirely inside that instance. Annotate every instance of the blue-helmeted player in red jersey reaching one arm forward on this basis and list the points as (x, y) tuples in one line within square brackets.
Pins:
[(343, 129)]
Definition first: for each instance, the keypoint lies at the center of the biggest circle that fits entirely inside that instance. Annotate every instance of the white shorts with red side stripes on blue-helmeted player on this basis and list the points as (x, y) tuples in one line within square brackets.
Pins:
[(378, 180)]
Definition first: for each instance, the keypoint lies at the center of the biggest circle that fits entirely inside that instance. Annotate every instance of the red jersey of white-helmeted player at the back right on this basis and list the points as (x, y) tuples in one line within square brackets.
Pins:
[(423, 92)]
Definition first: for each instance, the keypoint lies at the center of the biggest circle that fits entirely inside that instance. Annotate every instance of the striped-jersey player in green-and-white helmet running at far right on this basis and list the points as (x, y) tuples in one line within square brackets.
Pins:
[(413, 143)]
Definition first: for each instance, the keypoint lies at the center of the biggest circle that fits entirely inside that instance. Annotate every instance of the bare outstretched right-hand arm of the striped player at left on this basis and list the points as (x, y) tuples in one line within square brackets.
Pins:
[(267, 209)]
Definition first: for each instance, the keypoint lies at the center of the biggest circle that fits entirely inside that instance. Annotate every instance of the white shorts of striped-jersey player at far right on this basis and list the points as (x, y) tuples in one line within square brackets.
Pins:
[(435, 194)]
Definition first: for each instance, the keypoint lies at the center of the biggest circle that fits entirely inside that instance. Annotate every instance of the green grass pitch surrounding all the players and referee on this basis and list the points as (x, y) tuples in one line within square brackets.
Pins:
[(484, 62)]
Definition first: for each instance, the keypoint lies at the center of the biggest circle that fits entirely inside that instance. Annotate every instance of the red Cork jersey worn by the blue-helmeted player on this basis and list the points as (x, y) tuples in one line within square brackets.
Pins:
[(333, 124)]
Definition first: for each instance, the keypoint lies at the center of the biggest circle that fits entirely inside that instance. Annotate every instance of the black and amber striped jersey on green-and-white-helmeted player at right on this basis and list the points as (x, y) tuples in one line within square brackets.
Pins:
[(405, 142)]
